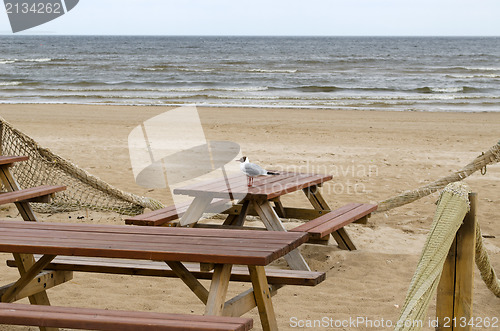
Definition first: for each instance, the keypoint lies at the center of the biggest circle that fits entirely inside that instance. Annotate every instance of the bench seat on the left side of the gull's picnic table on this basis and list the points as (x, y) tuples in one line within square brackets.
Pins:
[(165, 215)]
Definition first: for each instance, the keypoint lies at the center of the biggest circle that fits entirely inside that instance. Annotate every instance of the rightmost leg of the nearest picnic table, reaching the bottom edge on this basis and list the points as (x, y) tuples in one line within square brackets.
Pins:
[(263, 297)]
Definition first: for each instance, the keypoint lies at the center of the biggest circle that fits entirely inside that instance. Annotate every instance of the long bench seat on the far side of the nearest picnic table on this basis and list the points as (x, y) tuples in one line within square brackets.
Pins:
[(160, 269)]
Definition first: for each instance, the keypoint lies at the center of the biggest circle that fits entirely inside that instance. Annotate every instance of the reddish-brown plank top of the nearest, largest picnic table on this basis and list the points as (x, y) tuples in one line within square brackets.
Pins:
[(148, 243)]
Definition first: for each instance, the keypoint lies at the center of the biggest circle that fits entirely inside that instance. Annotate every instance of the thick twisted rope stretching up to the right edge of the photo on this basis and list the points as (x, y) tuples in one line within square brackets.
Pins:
[(490, 157)]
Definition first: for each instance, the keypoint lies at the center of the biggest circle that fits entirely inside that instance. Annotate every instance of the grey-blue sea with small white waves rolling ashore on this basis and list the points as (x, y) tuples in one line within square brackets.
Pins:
[(449, 74)]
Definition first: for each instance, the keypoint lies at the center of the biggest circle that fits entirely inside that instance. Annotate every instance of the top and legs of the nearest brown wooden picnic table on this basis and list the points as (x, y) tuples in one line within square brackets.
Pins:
[(174, 245)]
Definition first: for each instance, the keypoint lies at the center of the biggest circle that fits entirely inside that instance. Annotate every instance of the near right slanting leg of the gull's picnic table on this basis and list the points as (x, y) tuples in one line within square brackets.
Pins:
[(273, 223)]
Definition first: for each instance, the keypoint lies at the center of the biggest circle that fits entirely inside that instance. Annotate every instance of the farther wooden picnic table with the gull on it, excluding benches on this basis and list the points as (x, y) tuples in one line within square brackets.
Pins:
[(265, 192)]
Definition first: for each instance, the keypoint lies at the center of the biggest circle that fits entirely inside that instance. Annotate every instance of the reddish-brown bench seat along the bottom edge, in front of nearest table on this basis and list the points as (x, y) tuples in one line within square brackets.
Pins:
[(113, 320)]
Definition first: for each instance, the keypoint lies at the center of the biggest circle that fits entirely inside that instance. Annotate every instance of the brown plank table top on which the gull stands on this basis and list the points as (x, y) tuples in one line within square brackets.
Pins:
[(264, 187)]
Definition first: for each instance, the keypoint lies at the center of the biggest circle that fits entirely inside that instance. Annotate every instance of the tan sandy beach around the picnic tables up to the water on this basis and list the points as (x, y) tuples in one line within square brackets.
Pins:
[(372, 155)]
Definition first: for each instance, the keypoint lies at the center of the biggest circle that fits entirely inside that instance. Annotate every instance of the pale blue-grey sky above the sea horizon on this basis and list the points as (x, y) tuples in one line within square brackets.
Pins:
[(274, 18)]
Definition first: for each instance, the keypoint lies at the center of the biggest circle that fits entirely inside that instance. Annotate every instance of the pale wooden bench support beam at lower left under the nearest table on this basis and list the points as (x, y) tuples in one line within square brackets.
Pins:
[(43, 281)]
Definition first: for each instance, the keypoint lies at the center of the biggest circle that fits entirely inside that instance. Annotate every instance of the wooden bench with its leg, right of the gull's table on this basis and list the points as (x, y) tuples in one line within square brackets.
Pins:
[(320, 228)]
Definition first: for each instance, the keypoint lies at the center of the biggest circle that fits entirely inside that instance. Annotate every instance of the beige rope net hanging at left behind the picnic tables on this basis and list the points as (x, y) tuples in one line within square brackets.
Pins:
[(84, 191)]
